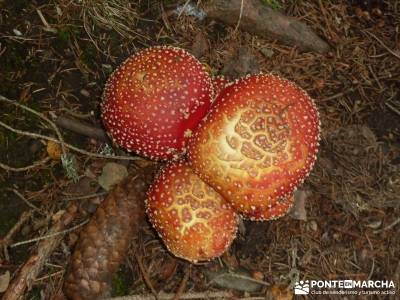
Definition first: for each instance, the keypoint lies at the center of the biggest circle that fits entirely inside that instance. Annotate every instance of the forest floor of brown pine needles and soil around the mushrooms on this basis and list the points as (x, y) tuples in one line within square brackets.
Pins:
[(55, 58)]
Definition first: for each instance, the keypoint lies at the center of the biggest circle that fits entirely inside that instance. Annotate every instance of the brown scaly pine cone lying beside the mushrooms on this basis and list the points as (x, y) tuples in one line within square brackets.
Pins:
[(104, 241)]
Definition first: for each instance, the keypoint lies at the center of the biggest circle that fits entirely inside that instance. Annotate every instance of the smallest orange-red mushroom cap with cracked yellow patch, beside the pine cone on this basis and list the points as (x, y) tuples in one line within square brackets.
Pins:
[(191, 218)]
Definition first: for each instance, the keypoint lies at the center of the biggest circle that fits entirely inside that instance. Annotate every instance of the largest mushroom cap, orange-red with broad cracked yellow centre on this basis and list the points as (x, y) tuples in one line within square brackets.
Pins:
[(257, 144)]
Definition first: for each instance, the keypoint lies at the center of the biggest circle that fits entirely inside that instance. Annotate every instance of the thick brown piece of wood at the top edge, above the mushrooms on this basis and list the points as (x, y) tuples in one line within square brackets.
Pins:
[(262, 20)]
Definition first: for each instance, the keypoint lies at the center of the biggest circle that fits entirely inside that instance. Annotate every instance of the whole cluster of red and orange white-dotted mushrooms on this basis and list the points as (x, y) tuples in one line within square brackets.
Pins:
[(233, 148)]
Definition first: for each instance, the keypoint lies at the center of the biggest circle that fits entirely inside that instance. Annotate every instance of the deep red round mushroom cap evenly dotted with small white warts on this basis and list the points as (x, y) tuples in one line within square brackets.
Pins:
[(154, 100)]
